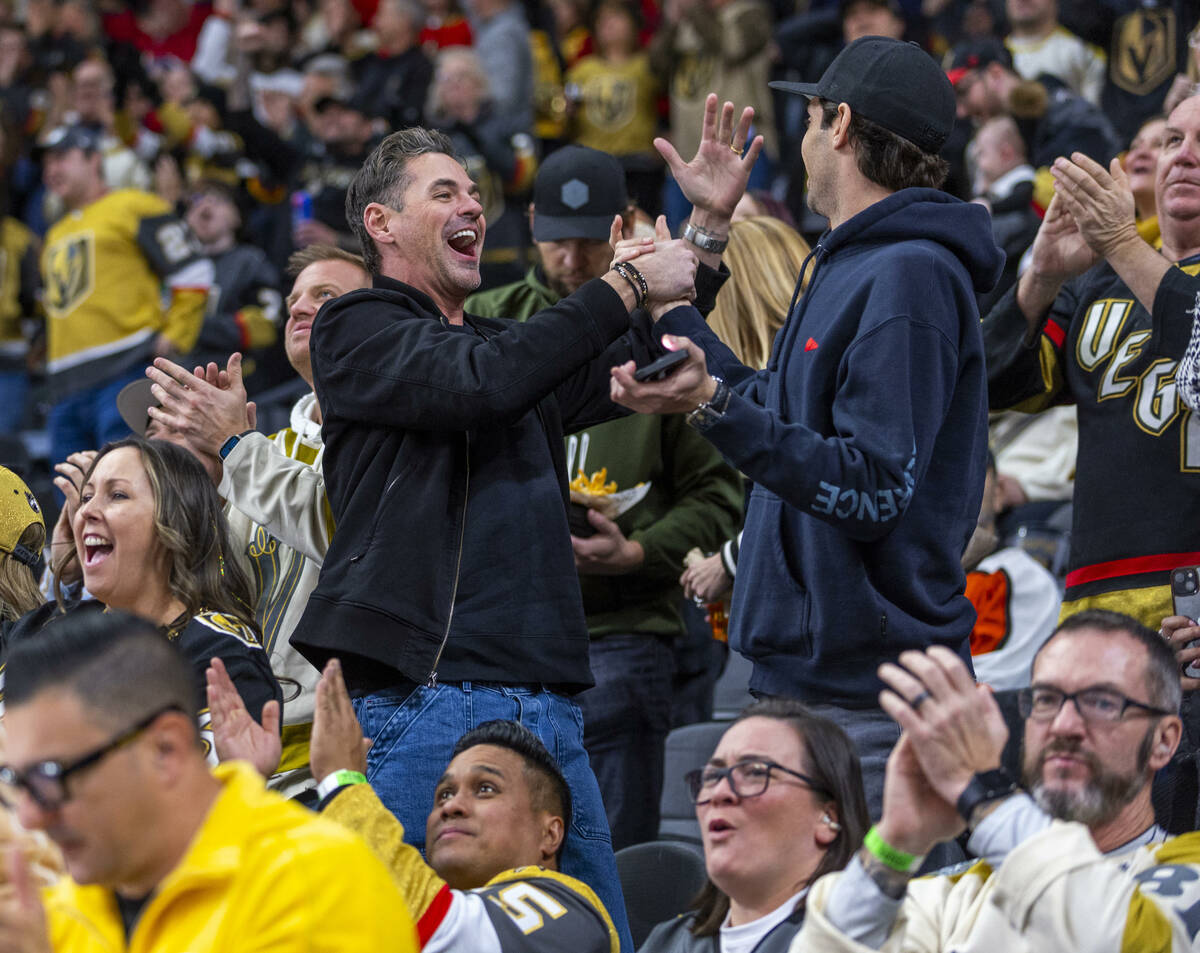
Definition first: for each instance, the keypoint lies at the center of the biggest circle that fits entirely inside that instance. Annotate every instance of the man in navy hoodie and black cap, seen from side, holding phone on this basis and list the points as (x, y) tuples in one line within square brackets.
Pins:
[(866, 437)]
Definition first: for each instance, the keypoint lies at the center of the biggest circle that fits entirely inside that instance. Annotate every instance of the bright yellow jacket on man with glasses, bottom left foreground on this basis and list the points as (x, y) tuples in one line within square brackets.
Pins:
[(263, 876)]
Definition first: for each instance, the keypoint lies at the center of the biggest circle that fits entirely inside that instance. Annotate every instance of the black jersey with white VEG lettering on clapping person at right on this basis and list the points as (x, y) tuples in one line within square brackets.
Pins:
[(1137, 505)]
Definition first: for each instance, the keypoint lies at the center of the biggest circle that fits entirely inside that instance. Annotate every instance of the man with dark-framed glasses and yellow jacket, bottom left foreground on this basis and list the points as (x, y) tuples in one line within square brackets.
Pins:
[(165, 856)]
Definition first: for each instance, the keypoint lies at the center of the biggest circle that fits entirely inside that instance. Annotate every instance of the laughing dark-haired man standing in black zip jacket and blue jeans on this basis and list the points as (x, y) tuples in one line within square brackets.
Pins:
[(449, 590)]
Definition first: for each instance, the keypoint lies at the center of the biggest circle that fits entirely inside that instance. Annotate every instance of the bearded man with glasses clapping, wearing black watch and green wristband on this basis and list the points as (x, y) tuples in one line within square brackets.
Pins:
[(1073, 862)]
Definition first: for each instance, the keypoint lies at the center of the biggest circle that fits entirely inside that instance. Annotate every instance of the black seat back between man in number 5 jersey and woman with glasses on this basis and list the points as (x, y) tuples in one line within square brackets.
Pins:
[(659, 880)]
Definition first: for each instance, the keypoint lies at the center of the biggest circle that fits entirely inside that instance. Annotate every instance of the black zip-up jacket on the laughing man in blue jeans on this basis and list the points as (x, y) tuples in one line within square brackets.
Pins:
[(446, 473)]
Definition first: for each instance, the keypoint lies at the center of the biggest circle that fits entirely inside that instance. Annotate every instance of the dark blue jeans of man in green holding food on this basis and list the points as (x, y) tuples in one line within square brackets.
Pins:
[(627, 717)]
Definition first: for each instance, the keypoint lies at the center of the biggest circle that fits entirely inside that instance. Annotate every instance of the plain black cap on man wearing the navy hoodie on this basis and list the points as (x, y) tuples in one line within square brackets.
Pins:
[(892, 83)]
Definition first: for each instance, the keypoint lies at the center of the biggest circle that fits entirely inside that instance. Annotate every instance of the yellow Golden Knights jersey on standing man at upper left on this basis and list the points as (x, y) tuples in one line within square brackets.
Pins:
[(117, 274)]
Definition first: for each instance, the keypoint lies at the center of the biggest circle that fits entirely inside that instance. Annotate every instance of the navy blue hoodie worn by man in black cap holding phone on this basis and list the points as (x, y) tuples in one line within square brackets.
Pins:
[(866, 439)]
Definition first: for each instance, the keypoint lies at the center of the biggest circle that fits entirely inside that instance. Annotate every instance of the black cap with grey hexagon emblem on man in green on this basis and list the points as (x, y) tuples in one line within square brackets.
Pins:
[(577, 194)]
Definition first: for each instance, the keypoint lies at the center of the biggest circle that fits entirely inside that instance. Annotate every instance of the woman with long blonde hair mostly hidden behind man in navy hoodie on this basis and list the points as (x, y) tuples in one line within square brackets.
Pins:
[(765, 256)]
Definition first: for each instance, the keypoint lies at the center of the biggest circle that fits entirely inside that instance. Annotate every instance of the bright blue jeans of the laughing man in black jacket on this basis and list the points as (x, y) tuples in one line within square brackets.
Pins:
[(415, 733)]
